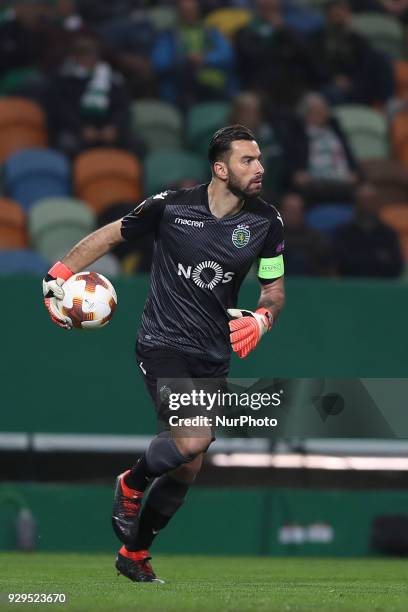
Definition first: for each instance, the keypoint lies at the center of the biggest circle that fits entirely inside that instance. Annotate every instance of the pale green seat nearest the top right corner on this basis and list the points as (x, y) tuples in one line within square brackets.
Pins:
[(384, 32)]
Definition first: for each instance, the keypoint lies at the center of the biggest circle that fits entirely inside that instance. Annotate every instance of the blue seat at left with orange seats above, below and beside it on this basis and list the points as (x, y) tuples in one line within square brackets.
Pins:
[(33, 174)]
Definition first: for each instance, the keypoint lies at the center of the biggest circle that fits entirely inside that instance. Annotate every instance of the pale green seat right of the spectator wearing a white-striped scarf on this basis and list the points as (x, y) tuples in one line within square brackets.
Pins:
[(366, 129)]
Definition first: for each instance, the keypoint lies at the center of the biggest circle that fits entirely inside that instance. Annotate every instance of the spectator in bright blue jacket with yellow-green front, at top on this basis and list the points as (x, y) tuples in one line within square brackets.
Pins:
[(193, 62)]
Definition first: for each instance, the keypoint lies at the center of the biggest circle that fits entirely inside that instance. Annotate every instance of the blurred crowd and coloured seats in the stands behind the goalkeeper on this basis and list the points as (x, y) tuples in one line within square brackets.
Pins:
[(103, 103)]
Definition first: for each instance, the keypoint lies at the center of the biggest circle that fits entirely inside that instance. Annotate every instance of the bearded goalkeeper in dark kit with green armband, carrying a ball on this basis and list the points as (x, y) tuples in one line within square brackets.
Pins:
[(206, 240)]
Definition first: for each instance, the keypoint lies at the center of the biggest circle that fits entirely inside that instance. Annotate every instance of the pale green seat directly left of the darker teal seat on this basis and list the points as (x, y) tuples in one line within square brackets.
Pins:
[(159, 124)]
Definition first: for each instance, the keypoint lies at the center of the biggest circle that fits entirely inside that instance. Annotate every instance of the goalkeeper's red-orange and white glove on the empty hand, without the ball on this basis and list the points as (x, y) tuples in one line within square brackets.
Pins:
[(247, 328)]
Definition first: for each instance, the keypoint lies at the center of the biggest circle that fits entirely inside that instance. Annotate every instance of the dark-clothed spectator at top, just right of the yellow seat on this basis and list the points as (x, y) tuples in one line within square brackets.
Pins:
[(271, 57)]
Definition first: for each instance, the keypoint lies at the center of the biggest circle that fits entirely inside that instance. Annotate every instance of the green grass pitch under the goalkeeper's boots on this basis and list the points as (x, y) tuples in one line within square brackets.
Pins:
[(214, 584)]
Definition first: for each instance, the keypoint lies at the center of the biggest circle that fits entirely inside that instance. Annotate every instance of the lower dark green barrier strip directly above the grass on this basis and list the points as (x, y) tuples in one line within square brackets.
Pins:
[(216, 521)]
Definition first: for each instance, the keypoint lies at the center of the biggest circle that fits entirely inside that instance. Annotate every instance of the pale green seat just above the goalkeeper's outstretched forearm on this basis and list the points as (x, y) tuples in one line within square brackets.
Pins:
[(56, 224)]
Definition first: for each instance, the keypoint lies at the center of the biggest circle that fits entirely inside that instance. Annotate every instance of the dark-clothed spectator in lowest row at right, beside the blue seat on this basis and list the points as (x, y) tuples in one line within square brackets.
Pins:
[(366, 246)]
